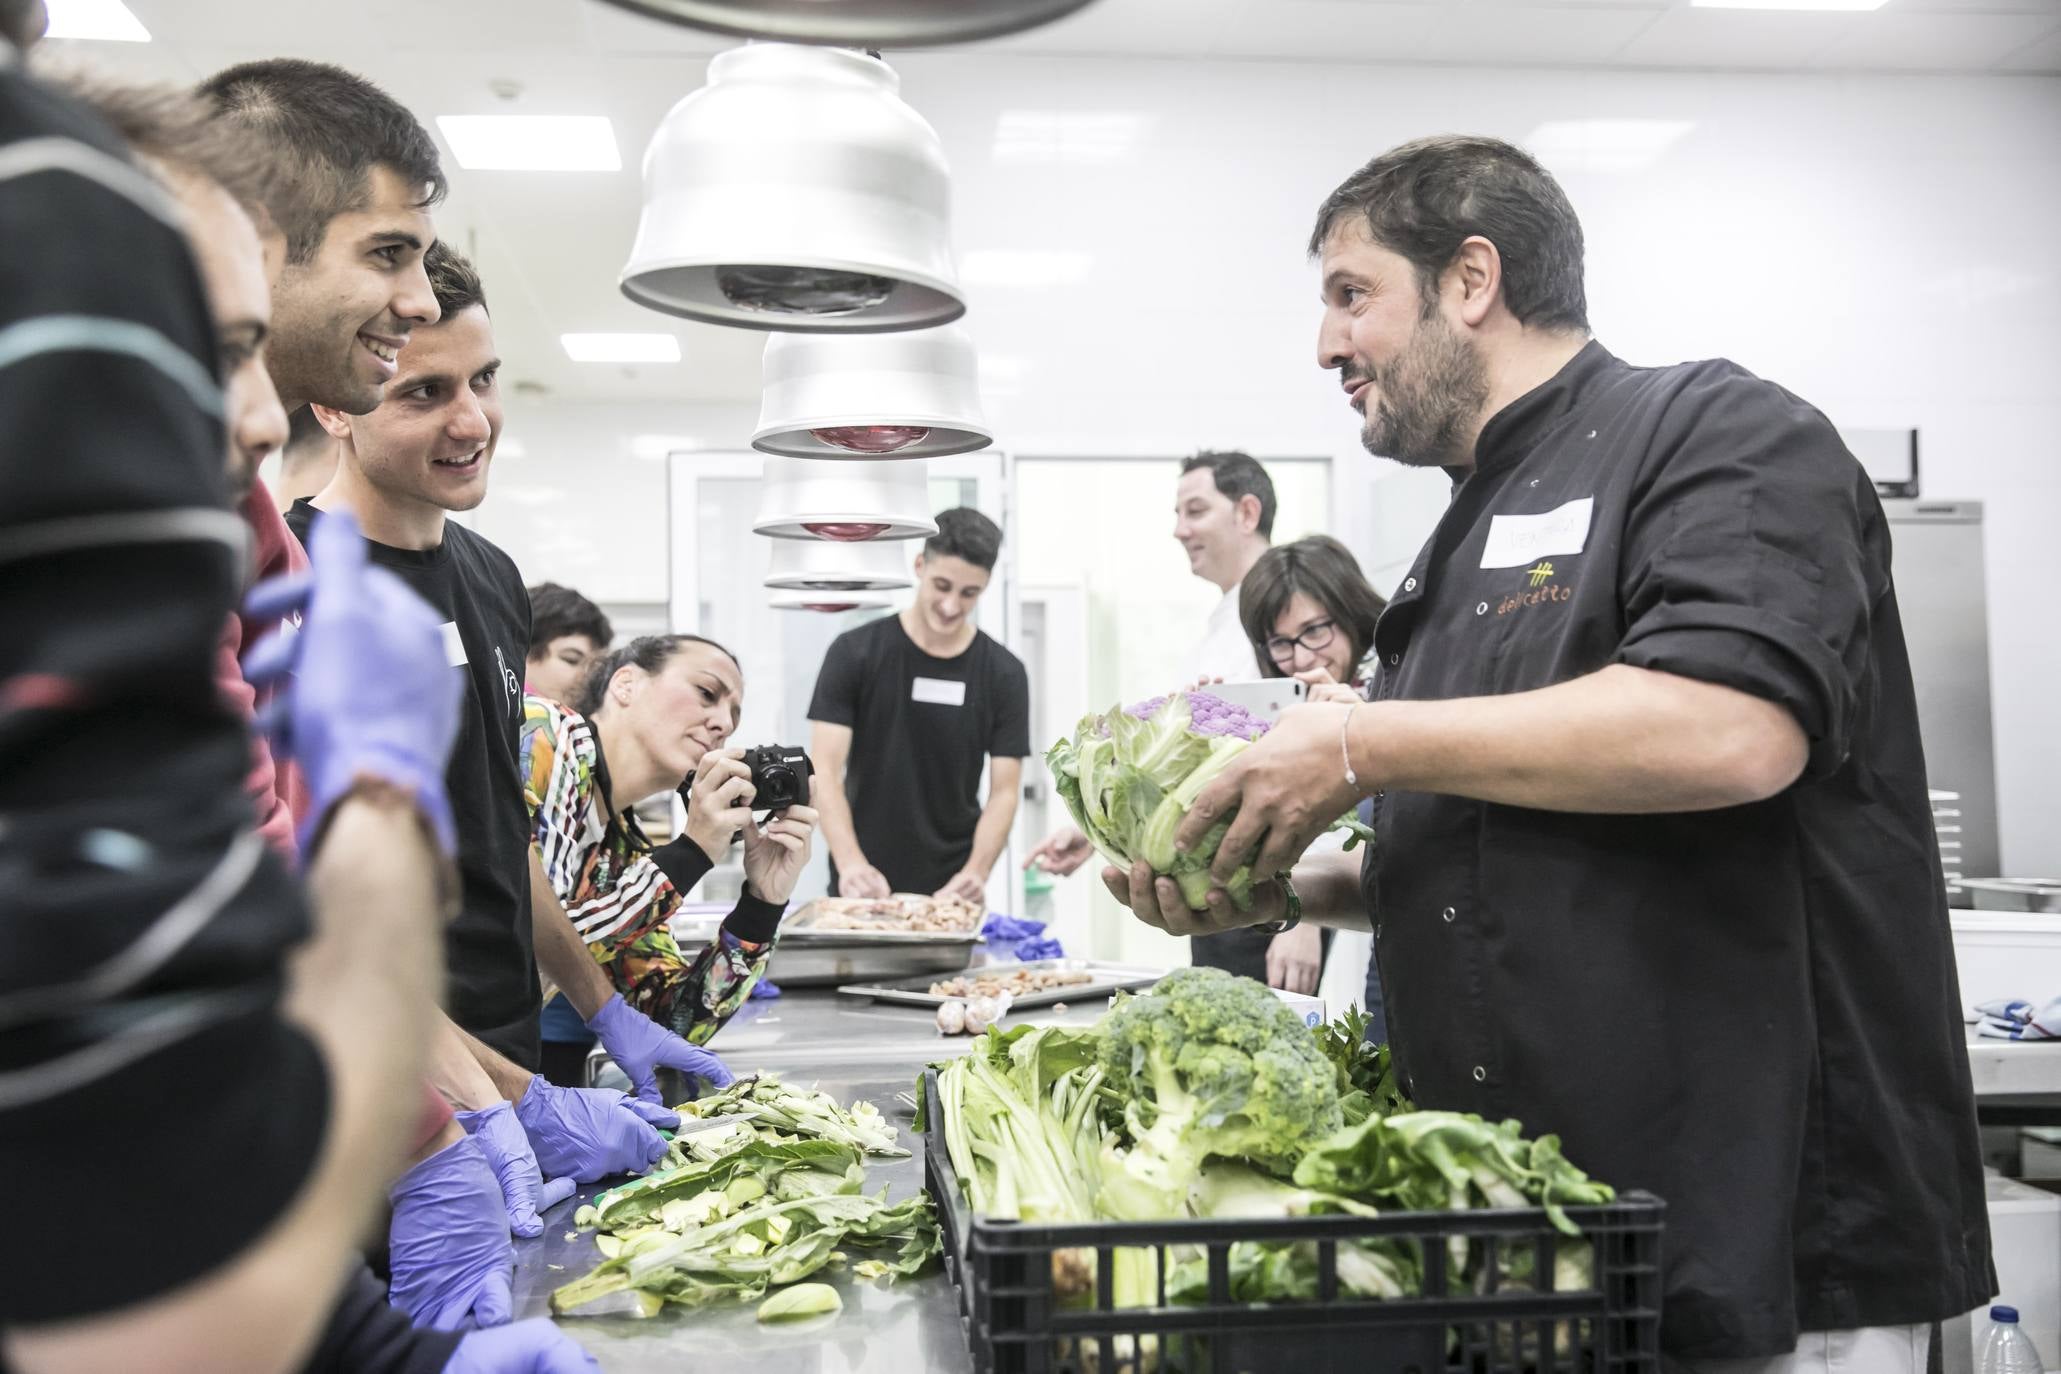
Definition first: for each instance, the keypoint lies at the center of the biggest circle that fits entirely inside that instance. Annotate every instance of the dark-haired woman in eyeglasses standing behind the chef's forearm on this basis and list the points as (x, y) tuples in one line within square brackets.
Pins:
[(1312, 617)]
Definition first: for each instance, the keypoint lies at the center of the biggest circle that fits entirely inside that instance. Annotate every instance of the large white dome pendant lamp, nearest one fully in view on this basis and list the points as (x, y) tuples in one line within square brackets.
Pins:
[(797, 193)]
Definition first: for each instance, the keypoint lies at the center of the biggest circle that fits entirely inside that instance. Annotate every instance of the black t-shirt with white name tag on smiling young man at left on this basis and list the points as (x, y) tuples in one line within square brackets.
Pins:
[(487, 953)]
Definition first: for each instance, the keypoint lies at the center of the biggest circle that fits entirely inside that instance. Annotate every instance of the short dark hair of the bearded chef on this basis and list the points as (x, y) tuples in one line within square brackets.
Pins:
[(1429, 197)]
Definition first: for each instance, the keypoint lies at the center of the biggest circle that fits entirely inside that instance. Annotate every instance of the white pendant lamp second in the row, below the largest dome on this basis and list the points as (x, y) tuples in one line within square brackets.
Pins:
[(912, 394)]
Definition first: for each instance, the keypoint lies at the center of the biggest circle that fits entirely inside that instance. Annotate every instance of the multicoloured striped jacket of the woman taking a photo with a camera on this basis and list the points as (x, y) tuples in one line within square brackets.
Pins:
[(619, 891)]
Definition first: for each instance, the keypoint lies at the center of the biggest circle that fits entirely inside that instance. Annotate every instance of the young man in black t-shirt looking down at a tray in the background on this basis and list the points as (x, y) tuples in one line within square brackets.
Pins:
[(906, 714)]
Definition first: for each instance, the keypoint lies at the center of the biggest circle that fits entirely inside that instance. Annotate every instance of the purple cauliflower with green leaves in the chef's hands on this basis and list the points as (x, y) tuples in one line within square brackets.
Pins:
[(1130, 778)]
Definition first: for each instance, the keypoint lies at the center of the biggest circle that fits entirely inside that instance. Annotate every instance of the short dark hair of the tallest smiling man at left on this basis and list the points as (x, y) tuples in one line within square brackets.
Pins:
[(335, 129)]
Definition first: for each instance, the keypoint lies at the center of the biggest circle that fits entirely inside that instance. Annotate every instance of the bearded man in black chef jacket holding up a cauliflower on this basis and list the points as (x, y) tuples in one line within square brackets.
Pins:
[(1656, 866)]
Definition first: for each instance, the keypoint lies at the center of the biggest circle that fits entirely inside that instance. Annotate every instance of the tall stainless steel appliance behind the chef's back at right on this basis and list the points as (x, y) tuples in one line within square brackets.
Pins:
[(1942, 596)]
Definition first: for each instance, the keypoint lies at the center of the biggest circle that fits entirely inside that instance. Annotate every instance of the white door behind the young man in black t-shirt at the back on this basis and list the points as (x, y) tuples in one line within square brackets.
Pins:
[(718, 572)]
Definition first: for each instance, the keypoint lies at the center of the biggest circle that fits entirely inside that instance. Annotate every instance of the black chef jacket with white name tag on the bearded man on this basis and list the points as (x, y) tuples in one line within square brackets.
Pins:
[(1751, 1012)]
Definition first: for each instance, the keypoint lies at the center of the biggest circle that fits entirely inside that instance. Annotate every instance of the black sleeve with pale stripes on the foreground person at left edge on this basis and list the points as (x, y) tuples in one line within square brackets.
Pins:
[(143, 924)]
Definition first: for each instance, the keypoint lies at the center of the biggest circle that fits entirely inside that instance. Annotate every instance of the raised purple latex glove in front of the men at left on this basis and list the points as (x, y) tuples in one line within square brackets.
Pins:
[(366, 685)]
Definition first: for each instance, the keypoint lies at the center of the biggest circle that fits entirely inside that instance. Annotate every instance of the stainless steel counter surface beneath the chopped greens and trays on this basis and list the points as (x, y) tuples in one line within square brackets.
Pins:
[(850, 1050)]
